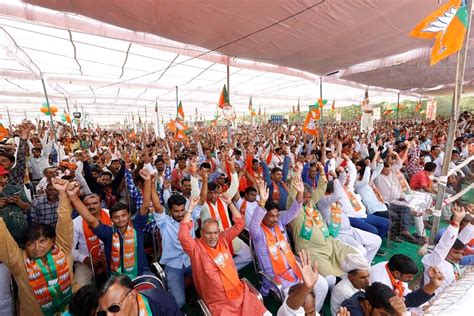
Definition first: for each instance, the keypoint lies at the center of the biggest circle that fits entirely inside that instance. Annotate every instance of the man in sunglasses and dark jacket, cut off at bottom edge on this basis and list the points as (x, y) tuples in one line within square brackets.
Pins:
[(119, 296)]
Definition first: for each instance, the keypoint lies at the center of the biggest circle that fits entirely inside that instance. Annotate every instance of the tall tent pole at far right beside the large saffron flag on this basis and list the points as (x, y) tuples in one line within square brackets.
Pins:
[(460, 68)]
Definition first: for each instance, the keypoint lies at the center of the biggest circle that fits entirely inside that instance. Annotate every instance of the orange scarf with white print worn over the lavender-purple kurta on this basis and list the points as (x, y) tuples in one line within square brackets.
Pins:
[(279, 252)]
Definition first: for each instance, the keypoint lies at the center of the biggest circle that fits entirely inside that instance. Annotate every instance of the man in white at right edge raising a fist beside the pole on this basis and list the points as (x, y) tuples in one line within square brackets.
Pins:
[(449, 250)]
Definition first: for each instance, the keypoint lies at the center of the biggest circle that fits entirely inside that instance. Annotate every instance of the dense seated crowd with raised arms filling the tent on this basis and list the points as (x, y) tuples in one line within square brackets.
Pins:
[(97, 221)]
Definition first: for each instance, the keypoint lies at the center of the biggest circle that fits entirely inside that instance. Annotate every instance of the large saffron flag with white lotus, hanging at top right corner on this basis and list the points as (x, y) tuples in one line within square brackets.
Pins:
[(448, 26)]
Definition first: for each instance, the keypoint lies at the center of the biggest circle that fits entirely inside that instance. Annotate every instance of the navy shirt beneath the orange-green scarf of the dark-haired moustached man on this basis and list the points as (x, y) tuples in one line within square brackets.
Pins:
[(105, 234)]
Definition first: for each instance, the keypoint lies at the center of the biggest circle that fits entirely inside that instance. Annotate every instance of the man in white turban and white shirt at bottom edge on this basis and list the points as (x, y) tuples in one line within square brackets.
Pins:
[(357, 279)]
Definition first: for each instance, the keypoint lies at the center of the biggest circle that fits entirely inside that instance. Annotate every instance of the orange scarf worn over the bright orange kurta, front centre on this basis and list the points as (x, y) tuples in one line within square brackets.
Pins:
[(222, 257)]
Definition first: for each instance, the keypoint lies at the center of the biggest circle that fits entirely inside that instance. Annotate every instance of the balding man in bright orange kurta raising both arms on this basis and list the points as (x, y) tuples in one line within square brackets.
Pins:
[(214, 272)]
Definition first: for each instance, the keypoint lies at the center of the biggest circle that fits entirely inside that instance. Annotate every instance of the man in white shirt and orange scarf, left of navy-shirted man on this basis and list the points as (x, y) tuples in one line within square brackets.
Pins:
[(86, 243)]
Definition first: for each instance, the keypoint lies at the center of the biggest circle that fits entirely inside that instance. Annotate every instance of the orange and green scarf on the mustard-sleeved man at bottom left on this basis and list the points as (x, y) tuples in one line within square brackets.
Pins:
[(51, 285)]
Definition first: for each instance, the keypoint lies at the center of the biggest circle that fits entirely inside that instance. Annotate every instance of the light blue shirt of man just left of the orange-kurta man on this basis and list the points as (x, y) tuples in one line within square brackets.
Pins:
[(173, 254)]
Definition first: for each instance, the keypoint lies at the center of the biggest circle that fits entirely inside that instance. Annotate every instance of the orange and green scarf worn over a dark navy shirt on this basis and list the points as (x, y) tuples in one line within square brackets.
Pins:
[(127, 265)]
